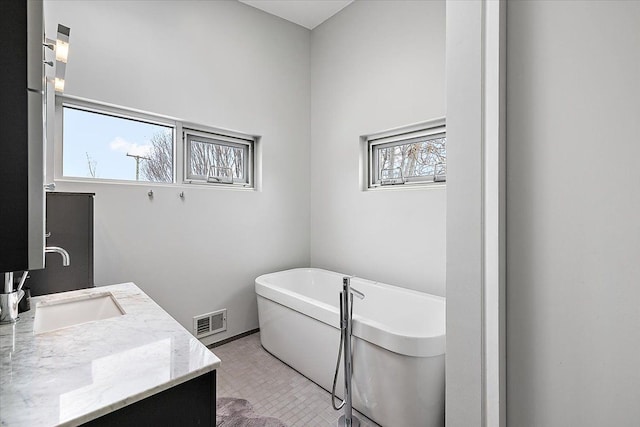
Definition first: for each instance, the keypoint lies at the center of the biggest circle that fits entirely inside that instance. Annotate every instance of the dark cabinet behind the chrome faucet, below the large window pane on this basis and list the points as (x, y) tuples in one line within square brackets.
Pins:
[(69, 225)]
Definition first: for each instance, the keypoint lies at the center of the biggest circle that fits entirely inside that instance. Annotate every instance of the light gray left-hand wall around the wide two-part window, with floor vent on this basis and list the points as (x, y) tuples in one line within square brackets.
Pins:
[(221, 64)]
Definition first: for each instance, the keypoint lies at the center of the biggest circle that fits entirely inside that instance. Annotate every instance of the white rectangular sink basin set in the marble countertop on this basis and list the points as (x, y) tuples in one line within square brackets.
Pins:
[(52, 315)]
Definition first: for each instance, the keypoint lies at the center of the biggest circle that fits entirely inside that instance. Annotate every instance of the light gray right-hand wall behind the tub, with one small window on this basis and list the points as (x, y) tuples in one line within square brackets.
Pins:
[(376, 65)]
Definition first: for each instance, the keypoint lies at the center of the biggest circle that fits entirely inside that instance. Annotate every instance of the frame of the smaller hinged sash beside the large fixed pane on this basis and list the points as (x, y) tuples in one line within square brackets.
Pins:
[(229, 139)]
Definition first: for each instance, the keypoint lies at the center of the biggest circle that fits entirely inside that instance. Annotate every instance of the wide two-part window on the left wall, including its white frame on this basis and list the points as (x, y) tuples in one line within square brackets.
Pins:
[(101, 142)]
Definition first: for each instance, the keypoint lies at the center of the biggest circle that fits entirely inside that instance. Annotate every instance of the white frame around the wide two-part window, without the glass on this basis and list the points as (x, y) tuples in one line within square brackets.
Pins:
[(180, 151)]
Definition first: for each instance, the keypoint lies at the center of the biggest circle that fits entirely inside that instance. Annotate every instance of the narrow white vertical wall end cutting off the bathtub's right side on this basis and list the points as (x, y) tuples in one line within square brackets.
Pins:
[(465, 108)]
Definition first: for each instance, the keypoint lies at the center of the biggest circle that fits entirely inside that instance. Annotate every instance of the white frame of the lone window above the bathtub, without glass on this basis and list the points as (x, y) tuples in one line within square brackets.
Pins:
[(433, 129)]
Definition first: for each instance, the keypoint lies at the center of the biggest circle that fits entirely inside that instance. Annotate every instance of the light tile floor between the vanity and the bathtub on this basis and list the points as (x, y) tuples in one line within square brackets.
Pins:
[(274, 389)]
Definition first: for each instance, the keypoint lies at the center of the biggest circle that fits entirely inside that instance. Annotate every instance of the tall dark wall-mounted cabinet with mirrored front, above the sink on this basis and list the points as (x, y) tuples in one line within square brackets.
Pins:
[(21, 135)]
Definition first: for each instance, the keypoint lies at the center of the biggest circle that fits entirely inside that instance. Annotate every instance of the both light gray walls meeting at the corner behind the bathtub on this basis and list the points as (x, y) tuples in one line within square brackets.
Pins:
[(374, 66)]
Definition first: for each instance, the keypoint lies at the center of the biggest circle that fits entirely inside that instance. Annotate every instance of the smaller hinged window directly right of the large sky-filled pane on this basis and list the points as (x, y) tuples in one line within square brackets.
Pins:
[(219, 159)]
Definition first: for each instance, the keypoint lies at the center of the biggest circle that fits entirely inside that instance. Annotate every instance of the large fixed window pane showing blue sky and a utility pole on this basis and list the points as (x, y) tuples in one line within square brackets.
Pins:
[(101, 145)]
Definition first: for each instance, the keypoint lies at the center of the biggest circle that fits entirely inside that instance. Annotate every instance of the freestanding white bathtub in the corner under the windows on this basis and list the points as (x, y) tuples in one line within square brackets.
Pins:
[(398, 343)]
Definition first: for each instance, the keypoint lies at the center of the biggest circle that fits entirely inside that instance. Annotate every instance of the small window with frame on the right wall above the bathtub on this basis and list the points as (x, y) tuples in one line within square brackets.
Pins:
[(415, 155)]
